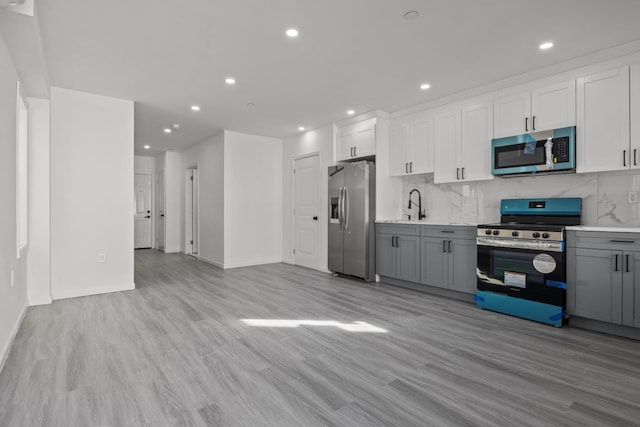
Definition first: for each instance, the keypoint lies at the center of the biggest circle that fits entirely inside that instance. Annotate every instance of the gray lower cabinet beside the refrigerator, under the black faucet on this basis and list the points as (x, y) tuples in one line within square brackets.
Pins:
[(398, 251)]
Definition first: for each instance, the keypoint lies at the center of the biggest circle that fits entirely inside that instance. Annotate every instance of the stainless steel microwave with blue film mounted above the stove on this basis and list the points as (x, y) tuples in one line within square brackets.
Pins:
[(534, 153)]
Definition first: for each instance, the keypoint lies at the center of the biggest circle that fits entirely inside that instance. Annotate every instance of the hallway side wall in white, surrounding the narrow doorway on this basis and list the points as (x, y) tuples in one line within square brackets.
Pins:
[(209, 157)]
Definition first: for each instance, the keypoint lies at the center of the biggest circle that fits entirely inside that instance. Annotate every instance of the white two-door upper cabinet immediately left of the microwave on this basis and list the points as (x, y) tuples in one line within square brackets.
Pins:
[(463, 143)]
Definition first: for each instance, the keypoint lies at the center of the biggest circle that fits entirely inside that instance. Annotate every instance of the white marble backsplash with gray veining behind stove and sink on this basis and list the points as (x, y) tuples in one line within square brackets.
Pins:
[(604, 196)]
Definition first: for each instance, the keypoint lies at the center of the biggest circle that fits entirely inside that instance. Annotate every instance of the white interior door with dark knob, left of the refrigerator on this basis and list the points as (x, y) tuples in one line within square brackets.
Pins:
[(305, 201)]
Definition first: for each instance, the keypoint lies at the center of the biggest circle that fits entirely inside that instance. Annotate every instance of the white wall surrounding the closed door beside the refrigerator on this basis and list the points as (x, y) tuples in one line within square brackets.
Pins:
[(314, 141)]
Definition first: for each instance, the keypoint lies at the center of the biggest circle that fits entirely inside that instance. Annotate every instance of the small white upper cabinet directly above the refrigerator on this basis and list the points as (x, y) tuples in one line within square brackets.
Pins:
[(356, 141)]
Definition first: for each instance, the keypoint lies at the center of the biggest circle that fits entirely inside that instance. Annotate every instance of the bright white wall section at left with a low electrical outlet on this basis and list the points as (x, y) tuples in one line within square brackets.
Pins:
[(91, 193)]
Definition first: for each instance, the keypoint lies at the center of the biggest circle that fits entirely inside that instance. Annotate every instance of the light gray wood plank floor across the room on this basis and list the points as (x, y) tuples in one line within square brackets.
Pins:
[(176, 352)]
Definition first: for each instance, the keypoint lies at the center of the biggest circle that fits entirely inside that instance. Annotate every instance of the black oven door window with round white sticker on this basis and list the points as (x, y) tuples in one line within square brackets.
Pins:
[(525, 273)]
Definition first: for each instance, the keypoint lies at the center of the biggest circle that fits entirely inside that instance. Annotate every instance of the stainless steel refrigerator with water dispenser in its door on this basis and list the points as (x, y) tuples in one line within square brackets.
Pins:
[(352, 213)]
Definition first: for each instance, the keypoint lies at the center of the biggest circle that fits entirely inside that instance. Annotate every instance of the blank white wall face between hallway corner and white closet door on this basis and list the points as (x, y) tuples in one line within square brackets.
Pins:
[(252, 199)]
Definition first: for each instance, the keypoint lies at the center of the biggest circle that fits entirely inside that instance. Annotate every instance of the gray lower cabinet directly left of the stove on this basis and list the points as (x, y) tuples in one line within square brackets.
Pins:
[(449, 258)]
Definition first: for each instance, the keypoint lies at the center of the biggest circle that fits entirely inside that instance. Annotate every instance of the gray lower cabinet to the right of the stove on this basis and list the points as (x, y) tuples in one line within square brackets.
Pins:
[(601, 280)]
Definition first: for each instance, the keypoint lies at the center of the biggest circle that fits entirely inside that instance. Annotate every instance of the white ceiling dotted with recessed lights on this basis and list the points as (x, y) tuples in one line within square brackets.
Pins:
[(360, 54)]
